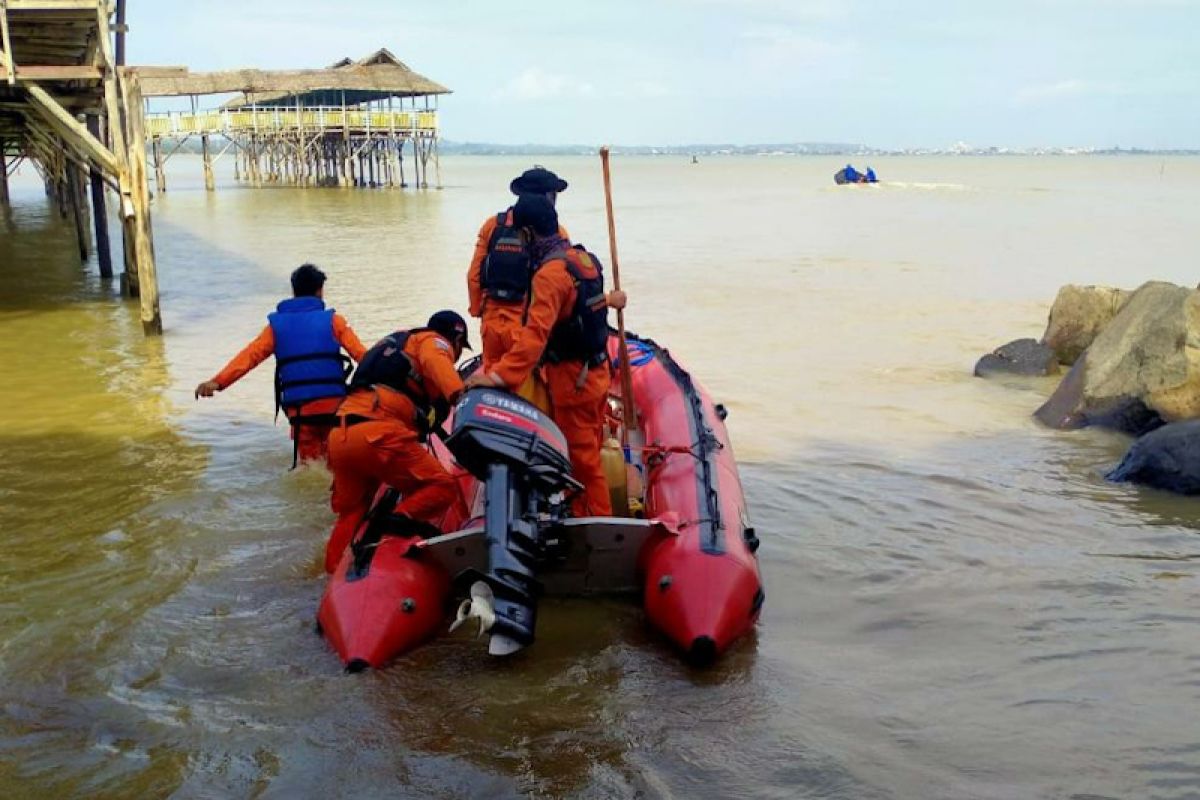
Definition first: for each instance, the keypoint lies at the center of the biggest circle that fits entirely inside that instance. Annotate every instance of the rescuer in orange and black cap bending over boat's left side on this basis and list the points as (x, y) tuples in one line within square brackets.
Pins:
[(401, 392)]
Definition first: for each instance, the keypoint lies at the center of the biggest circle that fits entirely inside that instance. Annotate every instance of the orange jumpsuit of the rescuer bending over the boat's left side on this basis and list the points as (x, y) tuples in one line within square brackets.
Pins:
[(388, 449)]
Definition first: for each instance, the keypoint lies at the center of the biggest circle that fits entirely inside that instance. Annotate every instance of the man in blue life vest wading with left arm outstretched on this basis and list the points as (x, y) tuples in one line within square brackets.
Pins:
[(310, 370)]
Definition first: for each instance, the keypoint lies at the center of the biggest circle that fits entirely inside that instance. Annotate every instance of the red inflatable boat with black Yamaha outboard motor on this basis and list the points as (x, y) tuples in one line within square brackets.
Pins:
[(683, 543)]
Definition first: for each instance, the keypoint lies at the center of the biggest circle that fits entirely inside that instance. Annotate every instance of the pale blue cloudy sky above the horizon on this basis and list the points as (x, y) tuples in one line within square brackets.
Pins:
[(891, 74)]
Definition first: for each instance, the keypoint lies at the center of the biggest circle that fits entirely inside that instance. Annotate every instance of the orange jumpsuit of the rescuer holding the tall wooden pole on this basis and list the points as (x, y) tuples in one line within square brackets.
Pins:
[(579, 410)]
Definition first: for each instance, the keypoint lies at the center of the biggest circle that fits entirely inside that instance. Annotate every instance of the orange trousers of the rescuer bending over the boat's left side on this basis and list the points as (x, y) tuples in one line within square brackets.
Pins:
[(385, 452)]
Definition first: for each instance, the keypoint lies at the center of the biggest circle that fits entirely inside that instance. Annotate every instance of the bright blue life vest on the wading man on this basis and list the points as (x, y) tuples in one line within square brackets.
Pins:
[(309, 362)]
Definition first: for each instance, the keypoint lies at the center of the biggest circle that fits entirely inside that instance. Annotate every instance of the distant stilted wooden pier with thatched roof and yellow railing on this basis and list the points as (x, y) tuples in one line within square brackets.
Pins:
[(347, 125)]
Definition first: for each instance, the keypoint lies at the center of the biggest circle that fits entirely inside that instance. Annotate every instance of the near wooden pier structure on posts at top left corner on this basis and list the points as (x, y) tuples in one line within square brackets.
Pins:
[(70, 109)]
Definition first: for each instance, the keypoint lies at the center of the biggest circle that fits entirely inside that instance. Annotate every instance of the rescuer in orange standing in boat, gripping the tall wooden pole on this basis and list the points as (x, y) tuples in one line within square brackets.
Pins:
[(568, 333)]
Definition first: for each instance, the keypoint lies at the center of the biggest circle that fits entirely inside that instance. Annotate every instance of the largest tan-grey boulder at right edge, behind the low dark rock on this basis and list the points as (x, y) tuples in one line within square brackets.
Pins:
[(1143, 370)]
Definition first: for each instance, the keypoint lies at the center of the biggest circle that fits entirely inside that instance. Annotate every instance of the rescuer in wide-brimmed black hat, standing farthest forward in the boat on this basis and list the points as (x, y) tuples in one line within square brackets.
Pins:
[(499, 280)]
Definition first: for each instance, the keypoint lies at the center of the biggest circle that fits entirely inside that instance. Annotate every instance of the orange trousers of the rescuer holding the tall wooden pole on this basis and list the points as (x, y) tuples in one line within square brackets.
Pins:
[(579, 412)]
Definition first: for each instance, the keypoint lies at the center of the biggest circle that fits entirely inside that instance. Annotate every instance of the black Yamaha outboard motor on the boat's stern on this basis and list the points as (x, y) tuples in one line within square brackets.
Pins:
[(521, 458)]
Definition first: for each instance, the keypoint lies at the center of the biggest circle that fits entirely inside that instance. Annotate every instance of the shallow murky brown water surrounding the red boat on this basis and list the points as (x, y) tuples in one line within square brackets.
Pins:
[(958, 604)]
